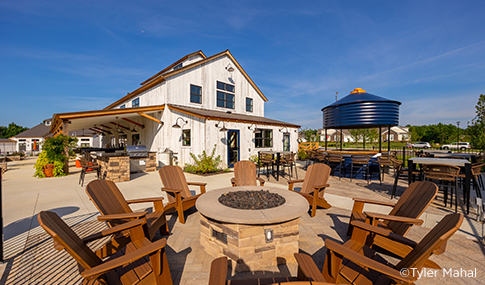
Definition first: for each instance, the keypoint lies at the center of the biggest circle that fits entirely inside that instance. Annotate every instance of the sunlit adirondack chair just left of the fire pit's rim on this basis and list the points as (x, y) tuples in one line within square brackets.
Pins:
[(178, 193)]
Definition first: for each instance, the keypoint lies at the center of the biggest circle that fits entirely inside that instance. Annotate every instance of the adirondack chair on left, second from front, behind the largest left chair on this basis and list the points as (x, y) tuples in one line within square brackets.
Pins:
[(115, 210)]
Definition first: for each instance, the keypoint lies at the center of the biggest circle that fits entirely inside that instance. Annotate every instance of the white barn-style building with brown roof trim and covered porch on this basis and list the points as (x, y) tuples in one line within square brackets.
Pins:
[(188, 107)]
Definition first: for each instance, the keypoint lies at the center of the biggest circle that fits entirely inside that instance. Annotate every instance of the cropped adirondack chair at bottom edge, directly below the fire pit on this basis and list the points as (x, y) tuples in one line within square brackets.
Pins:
[(218, 275)]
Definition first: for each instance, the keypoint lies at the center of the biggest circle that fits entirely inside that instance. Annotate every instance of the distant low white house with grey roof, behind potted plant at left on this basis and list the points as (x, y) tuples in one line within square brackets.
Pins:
[(31, 140)]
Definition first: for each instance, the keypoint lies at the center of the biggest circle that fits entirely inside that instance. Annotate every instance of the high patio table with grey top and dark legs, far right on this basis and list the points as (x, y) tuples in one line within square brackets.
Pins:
[(462, 163)]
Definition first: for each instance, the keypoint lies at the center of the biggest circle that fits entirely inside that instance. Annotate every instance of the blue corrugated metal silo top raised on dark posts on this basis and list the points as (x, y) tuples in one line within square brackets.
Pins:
[(360, 109)]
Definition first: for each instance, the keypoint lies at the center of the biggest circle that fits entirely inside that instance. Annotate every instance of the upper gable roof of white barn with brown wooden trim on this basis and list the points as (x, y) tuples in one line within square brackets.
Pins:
[(161, 76)]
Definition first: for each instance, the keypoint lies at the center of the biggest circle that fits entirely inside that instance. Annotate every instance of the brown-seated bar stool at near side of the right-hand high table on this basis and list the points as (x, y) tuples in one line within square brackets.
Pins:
[(444, 173)]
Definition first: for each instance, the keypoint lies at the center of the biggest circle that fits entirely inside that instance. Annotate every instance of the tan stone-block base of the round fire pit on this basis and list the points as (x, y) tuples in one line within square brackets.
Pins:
[(245, 245)]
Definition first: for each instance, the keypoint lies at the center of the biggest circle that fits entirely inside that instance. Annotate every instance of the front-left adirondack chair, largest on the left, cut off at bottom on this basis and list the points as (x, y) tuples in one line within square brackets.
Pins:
[(129, 266)]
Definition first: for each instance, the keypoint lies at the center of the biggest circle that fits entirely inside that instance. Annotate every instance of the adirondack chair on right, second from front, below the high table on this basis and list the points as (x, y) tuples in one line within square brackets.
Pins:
[(403, 215)]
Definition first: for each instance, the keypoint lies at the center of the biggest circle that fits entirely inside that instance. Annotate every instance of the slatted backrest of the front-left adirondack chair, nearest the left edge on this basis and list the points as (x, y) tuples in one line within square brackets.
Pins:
[(65, 236)]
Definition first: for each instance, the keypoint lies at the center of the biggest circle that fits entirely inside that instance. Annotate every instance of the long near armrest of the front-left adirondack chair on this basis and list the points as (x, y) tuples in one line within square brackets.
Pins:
[(125, 259)]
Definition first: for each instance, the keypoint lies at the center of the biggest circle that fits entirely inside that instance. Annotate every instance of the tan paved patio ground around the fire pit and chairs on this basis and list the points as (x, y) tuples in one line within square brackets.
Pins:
[(31, 259)]
